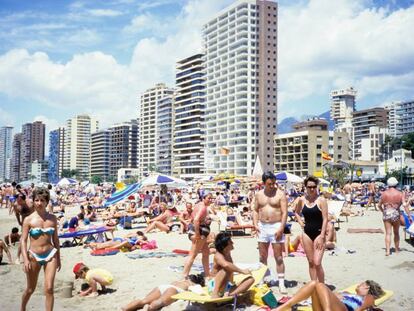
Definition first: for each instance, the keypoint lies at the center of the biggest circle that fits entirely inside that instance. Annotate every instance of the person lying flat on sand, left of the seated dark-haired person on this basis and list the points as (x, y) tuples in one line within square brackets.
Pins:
[(160, 296)]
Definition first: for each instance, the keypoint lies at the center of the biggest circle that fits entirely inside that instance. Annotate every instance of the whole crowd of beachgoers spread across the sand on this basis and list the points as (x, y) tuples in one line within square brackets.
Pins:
[(265, 206)]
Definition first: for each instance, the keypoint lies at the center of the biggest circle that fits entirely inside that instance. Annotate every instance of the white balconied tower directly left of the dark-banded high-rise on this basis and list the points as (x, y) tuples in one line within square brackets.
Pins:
[(148, 129)]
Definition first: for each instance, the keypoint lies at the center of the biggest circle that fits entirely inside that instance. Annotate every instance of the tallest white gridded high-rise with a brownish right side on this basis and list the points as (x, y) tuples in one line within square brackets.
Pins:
[(241, 87)]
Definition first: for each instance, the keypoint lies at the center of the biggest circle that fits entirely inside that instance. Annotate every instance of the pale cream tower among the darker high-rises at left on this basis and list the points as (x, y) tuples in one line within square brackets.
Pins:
[(78, 132)]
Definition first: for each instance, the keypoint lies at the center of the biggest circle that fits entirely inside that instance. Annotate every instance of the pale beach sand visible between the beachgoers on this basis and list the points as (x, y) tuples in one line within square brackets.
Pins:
[(135, 278)]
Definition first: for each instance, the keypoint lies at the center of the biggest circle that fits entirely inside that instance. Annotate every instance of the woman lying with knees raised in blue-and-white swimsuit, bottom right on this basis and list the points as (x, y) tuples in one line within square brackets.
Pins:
[(324, 299)]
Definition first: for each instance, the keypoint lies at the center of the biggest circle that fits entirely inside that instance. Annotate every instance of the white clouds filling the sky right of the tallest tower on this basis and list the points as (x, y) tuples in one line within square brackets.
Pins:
[(333, 44)]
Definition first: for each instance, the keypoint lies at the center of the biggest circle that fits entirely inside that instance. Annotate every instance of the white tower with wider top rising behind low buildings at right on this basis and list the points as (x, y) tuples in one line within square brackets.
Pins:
[(342, 107)]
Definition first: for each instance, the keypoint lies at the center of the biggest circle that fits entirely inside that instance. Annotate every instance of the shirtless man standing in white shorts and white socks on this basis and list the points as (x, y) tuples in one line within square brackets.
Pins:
[(269, 219)]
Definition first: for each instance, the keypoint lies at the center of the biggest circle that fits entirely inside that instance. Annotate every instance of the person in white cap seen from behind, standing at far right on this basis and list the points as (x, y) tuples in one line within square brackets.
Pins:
[(389, 205)]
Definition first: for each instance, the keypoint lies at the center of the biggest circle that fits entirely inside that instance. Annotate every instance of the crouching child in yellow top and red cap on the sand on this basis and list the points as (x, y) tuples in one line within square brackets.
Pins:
[(93, 277)]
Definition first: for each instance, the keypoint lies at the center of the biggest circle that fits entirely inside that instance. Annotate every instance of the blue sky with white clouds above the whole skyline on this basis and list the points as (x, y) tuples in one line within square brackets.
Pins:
[(60, 58)]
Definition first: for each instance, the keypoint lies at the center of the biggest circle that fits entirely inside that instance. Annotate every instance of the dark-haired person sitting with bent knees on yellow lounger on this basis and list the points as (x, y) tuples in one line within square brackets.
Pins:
[(221, 283)]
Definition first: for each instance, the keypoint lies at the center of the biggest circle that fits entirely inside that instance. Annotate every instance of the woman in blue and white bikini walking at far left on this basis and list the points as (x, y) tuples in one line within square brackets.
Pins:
[(41, 228)]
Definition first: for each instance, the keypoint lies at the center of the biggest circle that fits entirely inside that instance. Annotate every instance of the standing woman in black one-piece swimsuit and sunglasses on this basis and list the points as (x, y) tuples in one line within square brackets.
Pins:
[(315, 212)]
